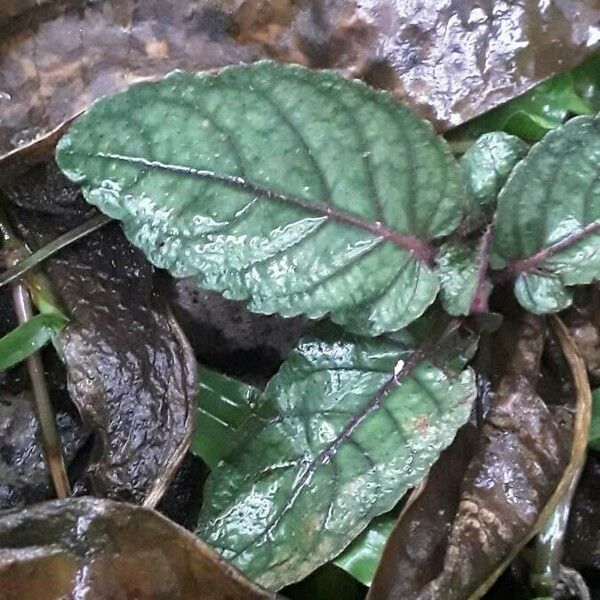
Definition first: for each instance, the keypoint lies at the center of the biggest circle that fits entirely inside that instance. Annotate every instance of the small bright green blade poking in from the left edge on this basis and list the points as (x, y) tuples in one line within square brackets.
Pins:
[(29, 337)]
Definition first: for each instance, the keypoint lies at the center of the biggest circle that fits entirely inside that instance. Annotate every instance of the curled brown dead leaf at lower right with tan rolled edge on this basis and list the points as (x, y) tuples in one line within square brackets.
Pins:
[(519, 471)]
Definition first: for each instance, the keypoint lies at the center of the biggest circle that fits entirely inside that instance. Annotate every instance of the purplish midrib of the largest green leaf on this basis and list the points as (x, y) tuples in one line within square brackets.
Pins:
[(421, 250)]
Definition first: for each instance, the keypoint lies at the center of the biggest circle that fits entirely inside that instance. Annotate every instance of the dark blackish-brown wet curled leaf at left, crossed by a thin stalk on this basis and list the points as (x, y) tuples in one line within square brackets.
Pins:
[(131, 373)]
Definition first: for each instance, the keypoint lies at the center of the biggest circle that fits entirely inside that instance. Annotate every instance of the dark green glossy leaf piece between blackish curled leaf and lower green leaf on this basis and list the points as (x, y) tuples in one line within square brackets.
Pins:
[(227, 410)]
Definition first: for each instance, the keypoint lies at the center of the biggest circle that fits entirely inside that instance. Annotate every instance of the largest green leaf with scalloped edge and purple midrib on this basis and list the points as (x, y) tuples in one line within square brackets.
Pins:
[(297, 190)]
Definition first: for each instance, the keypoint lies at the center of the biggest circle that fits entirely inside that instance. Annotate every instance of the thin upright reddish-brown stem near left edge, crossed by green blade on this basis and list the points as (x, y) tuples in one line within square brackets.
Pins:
[(51, 444)]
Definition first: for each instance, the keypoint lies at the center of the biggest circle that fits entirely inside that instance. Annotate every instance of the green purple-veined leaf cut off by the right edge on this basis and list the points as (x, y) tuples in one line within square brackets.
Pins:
[(548, 217)]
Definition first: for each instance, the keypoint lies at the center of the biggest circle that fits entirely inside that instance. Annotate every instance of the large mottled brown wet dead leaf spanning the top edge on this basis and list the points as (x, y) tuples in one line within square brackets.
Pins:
[(450, 61)]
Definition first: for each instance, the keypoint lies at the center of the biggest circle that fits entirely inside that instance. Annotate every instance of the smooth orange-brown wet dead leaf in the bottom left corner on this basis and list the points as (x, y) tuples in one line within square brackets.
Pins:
[(89, 548)]
